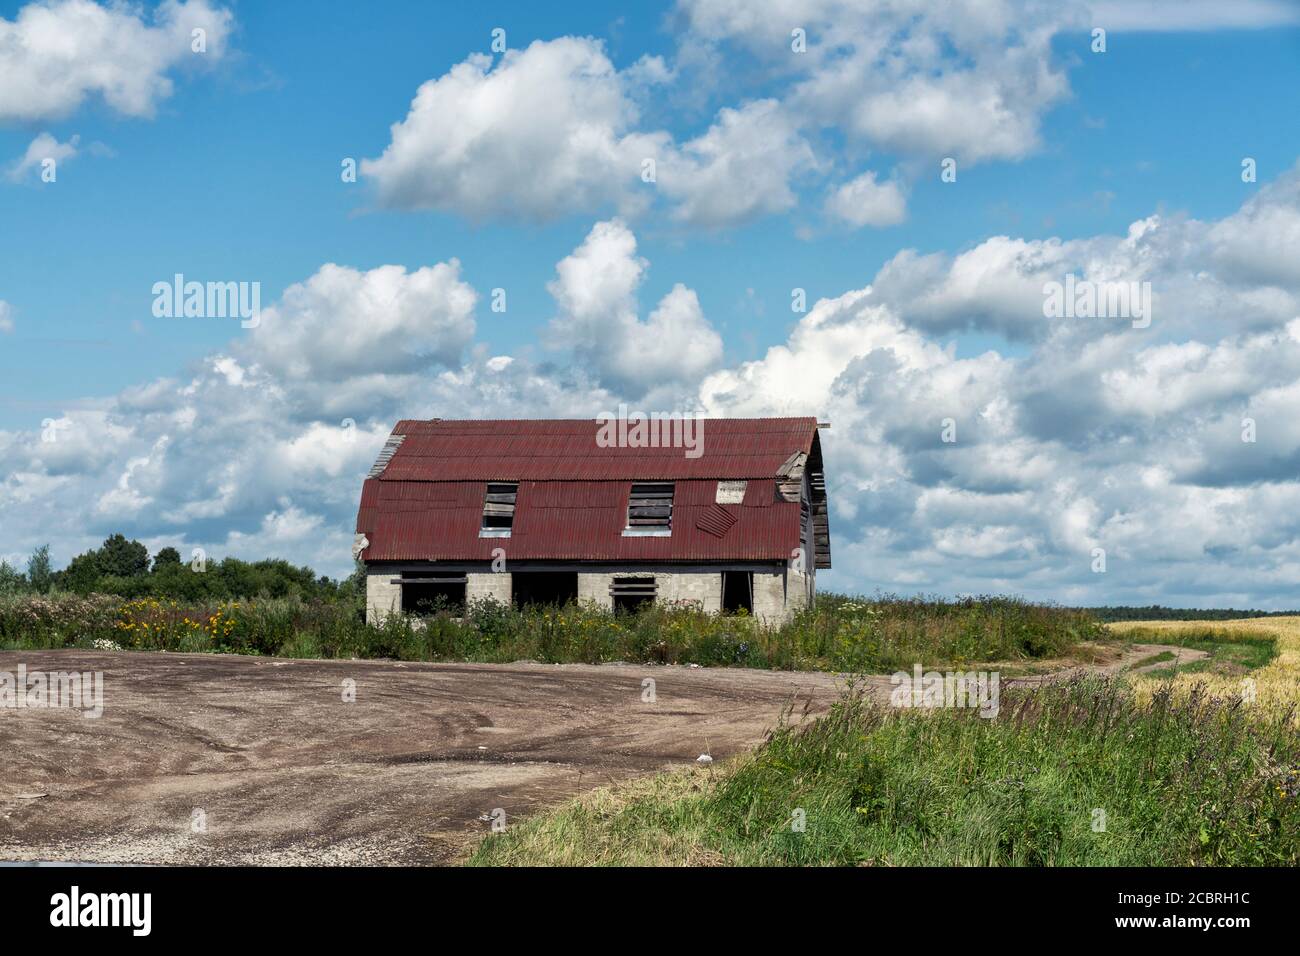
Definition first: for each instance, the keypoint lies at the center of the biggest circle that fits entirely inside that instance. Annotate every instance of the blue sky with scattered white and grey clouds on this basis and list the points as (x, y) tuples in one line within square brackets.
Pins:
[(558, 211)]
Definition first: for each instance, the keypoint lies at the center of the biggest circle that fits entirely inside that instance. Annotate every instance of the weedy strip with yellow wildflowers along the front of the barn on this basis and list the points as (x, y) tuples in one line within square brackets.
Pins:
[(842, 634)]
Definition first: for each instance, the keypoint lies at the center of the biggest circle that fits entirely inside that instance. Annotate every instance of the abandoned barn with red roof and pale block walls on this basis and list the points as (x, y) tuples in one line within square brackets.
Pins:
[(540, 512)]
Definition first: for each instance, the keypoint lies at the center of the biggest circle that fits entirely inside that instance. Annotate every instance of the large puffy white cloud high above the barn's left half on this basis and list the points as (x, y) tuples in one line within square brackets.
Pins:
[(541, 133)]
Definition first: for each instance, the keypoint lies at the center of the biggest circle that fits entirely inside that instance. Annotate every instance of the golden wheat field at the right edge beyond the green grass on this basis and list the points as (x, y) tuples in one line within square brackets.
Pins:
[(1277, 685)]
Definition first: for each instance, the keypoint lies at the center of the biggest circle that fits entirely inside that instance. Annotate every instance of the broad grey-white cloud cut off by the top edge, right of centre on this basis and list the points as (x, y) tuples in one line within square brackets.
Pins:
[(969, 79)]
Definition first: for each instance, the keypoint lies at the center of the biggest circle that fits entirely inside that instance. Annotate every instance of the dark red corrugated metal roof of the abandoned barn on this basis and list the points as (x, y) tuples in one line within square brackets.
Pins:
[(573, 501)]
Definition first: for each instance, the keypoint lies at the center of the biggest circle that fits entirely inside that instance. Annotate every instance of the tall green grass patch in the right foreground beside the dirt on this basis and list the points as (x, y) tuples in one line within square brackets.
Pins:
[(1181, 780)]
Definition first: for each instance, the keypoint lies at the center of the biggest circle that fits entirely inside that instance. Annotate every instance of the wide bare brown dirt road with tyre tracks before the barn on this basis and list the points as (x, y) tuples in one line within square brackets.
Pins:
[(235, 760)]
